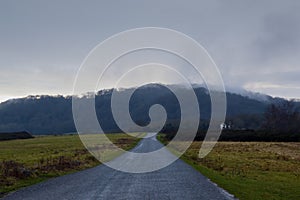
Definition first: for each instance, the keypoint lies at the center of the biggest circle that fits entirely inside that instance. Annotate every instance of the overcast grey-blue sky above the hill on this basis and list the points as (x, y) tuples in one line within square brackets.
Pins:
[(256, 44)]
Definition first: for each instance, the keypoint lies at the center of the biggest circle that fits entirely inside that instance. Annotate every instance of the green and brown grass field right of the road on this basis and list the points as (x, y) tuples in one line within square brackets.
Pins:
[(251, 170)]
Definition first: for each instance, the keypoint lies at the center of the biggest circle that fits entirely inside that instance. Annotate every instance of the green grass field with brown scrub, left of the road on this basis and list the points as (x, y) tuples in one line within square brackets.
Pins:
[(25, 162)]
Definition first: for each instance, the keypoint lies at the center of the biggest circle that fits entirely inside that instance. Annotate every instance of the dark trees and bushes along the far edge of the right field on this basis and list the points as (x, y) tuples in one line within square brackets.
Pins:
[(280, 122)]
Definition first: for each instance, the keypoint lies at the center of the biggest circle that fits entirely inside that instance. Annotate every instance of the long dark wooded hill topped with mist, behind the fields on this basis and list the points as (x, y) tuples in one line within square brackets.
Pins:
[(53, 114)]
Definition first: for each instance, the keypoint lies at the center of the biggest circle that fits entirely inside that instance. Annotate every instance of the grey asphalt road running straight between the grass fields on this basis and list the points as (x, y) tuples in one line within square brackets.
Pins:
[(176, 181)]
